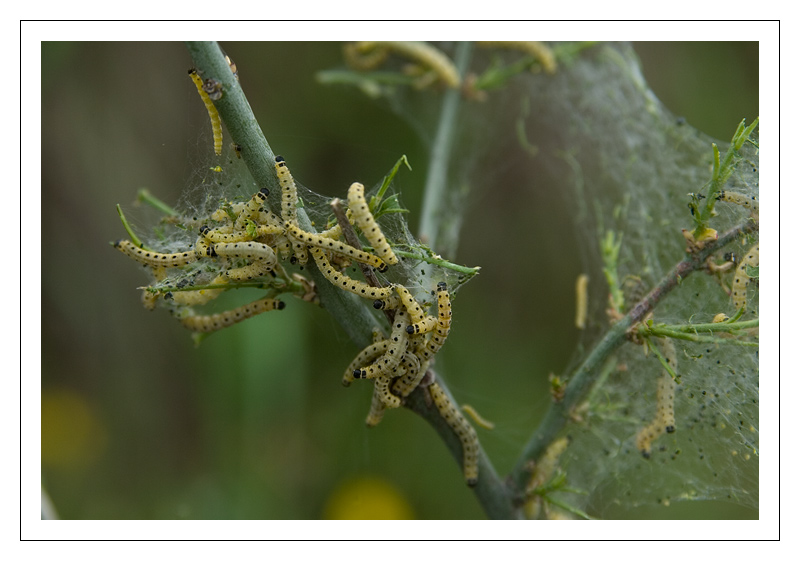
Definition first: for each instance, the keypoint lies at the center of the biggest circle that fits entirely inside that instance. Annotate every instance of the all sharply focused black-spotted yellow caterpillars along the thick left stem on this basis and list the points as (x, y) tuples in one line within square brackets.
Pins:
[(242, 241)]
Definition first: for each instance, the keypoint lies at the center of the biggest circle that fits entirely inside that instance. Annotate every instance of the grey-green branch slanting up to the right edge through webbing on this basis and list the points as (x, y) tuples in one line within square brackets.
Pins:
[(582, 379)]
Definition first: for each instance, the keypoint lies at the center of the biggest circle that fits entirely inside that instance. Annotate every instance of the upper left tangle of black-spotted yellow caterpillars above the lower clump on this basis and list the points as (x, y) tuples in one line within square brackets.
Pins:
[(244, 240)]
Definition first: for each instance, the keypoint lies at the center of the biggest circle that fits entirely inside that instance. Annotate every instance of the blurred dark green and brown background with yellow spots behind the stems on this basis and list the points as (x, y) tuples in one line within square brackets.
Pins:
[(137, 423)]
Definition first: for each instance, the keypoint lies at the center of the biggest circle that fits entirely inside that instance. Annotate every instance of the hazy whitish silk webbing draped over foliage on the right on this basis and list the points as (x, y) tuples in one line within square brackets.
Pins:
[(629, 170)]
